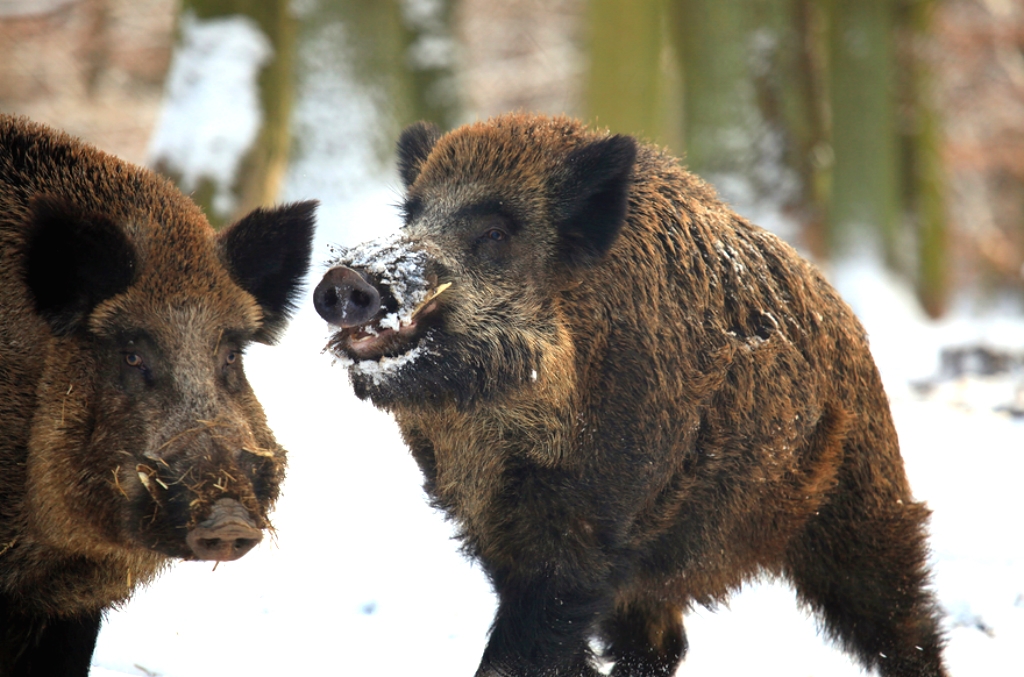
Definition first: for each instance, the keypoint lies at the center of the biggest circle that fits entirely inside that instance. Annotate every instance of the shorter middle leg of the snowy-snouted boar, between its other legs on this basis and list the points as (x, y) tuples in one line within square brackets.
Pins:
[(646, 640)]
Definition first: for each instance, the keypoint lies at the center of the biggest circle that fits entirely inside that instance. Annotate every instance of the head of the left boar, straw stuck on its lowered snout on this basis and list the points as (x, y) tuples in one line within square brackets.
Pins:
[(148, 435)]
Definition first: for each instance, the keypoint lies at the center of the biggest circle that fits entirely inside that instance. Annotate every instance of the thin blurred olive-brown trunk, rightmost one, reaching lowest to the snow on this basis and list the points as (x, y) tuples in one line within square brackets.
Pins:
[(923, 170)]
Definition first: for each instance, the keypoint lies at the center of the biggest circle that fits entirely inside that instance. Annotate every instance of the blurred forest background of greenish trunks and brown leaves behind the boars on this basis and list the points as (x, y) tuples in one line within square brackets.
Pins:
[(889, 126)]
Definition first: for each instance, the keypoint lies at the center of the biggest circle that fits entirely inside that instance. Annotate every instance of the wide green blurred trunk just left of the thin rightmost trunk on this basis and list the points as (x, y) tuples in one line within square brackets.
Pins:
[(866, 192)]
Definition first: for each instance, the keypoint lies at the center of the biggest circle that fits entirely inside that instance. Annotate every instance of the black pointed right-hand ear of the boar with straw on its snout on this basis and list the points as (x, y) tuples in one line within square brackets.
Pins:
[(268, 255)]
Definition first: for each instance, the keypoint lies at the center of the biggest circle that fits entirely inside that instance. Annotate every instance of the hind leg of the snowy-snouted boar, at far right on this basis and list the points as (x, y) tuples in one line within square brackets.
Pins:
[(864, 573)]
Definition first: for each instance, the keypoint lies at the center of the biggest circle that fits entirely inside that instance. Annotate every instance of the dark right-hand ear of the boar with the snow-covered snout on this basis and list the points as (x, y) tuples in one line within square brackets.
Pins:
[(592, 198)]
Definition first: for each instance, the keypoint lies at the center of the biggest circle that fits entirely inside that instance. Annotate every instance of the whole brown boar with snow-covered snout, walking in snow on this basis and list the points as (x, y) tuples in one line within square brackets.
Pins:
[(630, 401)]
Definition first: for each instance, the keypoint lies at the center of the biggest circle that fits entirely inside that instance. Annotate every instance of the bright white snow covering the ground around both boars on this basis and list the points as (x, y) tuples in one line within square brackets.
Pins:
[(364, 579)]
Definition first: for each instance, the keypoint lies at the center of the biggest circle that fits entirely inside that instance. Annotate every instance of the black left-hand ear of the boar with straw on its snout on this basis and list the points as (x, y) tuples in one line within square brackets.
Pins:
[(73, 262)]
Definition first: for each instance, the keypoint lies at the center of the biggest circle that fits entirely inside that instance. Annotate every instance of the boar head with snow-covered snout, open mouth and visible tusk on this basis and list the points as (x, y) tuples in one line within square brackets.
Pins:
[(468, 303)]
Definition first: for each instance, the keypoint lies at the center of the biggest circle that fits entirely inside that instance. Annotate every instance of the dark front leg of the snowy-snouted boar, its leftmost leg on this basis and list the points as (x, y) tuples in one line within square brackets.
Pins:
[(542, 628)]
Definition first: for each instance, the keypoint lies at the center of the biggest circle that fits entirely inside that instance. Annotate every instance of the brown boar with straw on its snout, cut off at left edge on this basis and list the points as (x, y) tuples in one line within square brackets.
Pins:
[(129, 433)]
